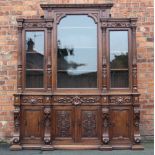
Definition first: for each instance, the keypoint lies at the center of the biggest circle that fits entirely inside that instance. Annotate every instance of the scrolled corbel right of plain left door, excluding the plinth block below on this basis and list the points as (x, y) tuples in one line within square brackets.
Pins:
[(47, 121)]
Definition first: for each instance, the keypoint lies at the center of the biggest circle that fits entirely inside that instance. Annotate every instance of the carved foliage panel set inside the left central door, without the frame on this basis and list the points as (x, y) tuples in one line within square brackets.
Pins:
[(63, 123)]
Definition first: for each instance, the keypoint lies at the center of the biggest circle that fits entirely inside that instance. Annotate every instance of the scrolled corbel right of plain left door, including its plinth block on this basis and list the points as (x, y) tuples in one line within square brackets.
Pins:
[(47, 125)]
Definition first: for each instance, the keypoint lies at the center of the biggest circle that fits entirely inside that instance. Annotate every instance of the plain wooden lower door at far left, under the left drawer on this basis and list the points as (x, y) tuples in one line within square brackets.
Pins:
[(32, 127)]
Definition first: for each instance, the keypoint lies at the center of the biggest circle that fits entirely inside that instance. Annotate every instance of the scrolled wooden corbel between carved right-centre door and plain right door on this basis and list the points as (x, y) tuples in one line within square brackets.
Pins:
[(105, 125)]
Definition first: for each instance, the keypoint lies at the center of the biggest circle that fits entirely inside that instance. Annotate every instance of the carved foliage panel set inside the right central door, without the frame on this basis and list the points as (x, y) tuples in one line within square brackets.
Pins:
[(89, 124)]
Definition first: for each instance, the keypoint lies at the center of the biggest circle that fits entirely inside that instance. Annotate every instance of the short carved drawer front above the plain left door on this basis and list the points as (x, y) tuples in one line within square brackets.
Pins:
[(32, 99)]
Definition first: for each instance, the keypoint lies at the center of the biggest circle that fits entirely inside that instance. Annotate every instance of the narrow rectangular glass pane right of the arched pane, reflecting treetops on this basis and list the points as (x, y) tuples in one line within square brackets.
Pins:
[(119, 59)]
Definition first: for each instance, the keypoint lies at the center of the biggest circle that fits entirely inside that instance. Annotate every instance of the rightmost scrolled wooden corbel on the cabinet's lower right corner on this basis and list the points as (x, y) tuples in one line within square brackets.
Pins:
[(137, 137)]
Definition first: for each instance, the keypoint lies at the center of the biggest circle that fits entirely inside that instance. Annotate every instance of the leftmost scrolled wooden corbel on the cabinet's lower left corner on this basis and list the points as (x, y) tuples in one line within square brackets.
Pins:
[(16, 135)]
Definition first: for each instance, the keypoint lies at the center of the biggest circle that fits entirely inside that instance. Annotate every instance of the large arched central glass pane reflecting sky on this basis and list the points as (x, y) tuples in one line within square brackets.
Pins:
[(77, 52)]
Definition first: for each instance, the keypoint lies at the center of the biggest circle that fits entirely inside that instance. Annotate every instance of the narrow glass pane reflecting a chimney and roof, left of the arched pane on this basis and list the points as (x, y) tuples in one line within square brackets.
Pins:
[(34, 59)]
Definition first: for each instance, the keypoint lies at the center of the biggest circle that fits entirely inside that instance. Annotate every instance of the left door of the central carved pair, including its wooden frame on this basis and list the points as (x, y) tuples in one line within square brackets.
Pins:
[(63, 119)]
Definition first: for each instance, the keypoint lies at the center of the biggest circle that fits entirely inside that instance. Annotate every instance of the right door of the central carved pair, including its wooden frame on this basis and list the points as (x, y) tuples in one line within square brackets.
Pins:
[(88, 123)]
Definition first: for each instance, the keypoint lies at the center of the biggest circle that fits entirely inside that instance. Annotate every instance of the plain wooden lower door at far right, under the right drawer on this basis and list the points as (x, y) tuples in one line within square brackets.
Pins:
[(120, 125)]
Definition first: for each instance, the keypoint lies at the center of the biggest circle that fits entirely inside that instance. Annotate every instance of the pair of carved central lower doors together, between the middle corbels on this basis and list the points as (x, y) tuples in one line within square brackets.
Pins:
[(76, 124)]
